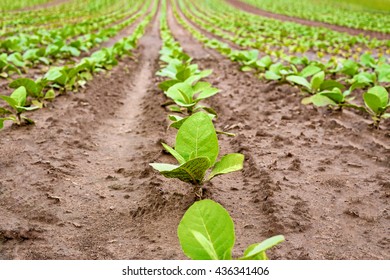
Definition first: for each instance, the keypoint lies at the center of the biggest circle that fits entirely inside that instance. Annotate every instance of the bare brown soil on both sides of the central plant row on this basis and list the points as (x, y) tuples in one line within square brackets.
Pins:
[(77, 185)]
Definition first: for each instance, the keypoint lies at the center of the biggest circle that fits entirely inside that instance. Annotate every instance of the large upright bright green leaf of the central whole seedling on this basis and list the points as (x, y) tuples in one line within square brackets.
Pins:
[(197, 136)]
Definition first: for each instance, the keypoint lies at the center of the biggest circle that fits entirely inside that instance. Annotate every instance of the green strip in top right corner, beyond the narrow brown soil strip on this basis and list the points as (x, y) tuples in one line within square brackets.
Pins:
[(330, 11)]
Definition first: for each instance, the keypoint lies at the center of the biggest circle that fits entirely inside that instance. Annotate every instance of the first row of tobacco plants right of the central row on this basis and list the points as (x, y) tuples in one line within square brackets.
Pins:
[(324, 84)]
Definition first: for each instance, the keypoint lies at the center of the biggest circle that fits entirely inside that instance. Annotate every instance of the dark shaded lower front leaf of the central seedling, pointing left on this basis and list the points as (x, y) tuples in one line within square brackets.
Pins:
[(192, 171)]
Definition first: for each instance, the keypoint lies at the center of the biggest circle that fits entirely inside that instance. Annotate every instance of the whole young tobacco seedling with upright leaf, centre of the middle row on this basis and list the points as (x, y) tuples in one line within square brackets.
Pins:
[(196, 150)]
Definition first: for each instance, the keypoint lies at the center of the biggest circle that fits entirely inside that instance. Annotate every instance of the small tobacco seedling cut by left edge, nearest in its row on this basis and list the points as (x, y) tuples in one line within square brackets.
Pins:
[(17, 101)]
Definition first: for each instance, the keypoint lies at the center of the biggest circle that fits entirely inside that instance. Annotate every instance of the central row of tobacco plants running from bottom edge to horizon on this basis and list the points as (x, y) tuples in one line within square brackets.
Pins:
[(206, 231)]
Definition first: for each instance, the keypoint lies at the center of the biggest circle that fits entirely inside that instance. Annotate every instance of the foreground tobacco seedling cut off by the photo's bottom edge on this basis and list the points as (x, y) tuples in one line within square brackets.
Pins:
[(206, 232)]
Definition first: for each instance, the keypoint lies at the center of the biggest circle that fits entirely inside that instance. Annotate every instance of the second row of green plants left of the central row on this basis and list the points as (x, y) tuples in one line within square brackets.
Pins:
[(33, 56)]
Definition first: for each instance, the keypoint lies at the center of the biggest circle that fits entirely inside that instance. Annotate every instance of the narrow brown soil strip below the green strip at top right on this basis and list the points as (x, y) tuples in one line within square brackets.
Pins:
[(249, 8)]
